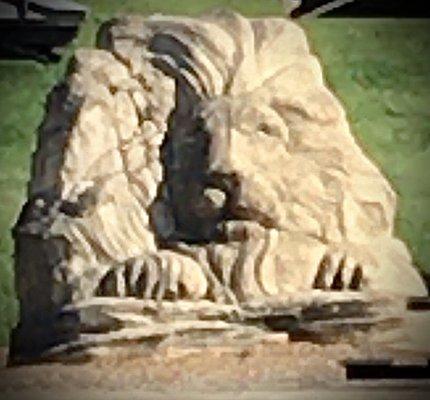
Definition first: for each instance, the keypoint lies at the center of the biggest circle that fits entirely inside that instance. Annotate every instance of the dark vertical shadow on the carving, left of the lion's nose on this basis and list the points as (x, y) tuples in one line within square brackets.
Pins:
[(182, 211)]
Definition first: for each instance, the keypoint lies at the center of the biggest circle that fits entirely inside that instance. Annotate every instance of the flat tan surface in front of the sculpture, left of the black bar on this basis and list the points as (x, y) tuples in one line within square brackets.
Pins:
[(265, 365)]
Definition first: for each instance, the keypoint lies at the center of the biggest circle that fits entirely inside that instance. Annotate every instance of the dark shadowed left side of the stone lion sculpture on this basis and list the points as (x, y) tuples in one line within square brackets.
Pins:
[(41, 258)]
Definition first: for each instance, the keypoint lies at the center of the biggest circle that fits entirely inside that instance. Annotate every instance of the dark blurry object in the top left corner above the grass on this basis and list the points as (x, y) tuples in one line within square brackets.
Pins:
[(38, 28)]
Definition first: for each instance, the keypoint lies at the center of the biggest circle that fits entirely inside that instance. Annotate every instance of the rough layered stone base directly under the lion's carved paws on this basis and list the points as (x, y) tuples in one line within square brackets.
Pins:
[(314, 317)]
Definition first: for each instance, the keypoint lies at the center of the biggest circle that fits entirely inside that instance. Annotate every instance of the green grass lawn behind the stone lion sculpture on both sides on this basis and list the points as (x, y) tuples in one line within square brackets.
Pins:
[(380, 69)]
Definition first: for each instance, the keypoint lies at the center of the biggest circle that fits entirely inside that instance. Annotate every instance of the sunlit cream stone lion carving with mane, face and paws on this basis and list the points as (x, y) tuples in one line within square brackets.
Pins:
[(209, 160)]
